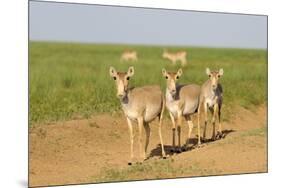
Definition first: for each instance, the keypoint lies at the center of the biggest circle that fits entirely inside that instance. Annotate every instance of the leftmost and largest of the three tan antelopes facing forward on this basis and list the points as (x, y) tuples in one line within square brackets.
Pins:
[(141, 104)]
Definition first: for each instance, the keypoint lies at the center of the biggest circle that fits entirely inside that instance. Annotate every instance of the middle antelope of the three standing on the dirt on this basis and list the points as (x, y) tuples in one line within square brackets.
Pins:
[(181, 101)]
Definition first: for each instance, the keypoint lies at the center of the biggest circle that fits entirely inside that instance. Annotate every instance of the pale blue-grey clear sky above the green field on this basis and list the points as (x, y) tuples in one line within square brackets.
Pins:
[(50, 21)]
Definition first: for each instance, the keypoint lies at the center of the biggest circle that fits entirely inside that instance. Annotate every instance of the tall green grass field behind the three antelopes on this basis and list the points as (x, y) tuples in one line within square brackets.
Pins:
[(67, 80)]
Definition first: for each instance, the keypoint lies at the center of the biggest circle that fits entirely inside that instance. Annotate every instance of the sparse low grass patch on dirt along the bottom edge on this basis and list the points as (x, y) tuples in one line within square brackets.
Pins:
[(152, 170)]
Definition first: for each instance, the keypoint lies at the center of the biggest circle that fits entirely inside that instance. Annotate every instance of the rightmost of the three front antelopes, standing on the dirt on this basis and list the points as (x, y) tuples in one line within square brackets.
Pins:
[(211, 98)]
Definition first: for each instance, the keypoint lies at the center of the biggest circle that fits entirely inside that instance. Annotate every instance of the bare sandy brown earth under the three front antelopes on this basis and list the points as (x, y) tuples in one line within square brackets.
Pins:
[(97, 150)]
